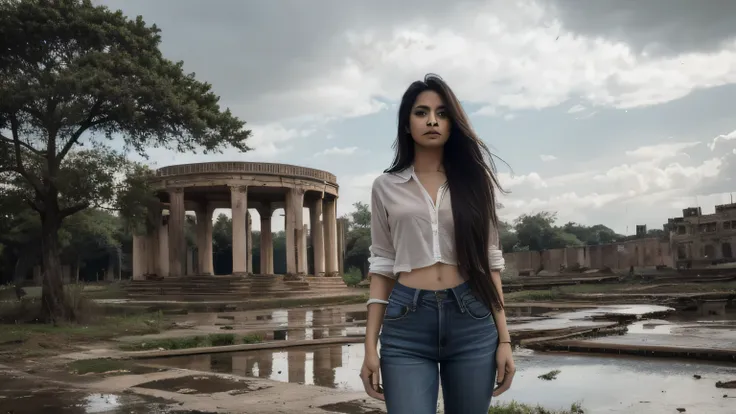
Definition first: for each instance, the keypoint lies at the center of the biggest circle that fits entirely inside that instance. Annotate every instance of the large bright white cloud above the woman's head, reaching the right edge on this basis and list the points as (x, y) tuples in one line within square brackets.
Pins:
[(515, 57)]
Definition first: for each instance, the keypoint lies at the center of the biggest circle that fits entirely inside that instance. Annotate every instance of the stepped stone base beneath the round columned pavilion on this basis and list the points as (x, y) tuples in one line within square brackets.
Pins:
[(235, 288)]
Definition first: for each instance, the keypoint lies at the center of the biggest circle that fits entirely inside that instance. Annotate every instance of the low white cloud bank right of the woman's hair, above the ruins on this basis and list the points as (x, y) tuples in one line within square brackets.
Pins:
[(649, 190)]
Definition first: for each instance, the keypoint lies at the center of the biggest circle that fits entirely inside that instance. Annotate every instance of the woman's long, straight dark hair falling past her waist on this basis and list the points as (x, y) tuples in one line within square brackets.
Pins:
[(471, 176)]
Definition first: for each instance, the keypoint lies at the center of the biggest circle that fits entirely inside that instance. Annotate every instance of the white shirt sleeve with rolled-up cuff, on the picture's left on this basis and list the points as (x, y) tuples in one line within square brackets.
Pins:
[(382, 249)]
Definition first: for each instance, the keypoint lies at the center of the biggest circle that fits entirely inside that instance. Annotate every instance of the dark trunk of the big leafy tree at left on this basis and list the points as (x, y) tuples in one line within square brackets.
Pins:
[(52, 294)]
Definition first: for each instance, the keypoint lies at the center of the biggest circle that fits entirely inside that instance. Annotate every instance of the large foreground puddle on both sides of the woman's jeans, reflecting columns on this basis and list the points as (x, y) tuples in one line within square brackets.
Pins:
[(615, 385)]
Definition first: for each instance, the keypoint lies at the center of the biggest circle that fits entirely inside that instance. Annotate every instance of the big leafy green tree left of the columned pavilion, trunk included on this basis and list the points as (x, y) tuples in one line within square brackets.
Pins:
[(74, 75)]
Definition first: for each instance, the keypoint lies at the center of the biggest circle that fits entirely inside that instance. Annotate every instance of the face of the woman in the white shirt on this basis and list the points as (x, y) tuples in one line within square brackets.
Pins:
[(429, 121)]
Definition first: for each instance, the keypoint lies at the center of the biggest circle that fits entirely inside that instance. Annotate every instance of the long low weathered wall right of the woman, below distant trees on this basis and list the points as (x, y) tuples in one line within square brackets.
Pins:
[(647, 252)]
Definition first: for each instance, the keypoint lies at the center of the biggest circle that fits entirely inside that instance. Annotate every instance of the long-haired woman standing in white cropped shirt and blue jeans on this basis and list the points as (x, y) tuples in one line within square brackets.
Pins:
[(435, 264)]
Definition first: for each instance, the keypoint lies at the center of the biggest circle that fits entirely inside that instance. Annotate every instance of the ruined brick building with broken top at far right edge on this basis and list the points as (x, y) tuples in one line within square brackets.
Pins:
[(699, 239)]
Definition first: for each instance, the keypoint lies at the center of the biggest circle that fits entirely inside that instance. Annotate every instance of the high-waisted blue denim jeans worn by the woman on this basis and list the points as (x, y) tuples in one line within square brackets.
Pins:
[(429, 337)]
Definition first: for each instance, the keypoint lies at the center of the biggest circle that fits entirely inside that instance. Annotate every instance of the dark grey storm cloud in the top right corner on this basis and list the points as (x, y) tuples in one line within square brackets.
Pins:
[(661, 27)]
